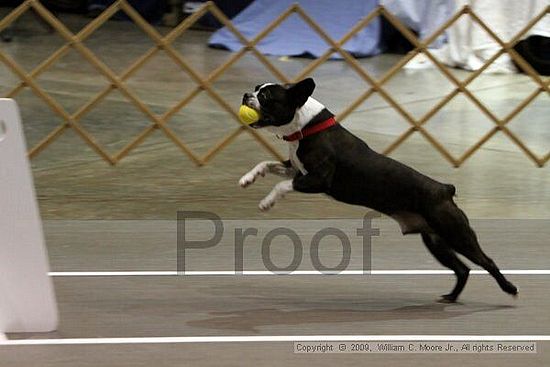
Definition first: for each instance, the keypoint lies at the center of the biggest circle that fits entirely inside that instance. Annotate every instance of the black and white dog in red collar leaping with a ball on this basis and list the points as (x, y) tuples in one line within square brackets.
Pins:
[(326, 158)]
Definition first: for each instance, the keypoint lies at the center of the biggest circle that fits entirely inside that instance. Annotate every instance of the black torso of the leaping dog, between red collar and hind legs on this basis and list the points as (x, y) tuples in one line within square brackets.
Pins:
[(344, 167)]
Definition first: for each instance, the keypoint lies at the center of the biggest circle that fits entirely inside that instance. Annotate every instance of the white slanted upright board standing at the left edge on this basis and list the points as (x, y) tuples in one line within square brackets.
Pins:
[(27, 301)]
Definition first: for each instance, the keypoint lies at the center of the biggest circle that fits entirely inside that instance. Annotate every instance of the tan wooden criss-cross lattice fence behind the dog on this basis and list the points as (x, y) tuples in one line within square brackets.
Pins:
[(204, 83)]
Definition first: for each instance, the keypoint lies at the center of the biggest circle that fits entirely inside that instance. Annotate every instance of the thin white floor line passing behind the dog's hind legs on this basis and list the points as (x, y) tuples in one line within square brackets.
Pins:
[(267, 272)]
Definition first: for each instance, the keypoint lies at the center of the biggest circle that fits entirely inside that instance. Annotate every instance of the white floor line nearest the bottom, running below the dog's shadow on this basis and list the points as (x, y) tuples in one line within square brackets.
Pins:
[(270, 338)]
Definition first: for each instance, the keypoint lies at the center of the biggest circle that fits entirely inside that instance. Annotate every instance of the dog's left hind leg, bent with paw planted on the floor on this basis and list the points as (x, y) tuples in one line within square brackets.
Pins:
[(447, 257)]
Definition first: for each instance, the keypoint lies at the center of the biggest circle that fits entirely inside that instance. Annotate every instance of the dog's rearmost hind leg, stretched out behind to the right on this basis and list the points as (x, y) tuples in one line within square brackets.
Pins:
[(452, 224)]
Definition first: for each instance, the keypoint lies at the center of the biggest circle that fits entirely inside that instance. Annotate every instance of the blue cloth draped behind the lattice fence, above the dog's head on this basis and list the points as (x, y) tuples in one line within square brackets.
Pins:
[(294, 37)]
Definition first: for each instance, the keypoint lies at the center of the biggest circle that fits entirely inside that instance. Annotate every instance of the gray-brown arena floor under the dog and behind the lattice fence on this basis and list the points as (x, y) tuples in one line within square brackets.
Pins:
[(103, 218)]
